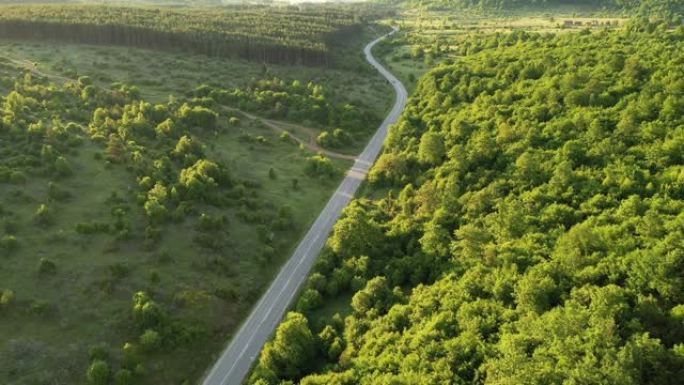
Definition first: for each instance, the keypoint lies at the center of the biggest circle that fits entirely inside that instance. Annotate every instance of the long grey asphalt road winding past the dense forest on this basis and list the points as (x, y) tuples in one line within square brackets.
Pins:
[(236, 361)]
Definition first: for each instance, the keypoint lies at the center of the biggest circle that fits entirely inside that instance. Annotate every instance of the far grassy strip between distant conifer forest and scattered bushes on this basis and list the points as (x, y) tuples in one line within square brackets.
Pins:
[(160, 74)]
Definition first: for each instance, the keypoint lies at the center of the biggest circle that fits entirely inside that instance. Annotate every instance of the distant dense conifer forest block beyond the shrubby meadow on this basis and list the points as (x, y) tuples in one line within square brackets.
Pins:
[(287, 35)]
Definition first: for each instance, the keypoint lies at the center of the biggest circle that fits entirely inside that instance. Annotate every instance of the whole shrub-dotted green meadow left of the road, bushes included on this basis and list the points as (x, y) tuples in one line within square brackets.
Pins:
[(148, 197)]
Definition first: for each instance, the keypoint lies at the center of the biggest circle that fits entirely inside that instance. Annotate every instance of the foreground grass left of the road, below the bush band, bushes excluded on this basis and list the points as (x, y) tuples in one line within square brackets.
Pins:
[(88, 299)]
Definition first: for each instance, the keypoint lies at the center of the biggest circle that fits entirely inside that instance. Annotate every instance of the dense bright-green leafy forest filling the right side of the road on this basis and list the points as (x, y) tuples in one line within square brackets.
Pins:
[(524, 225)]
